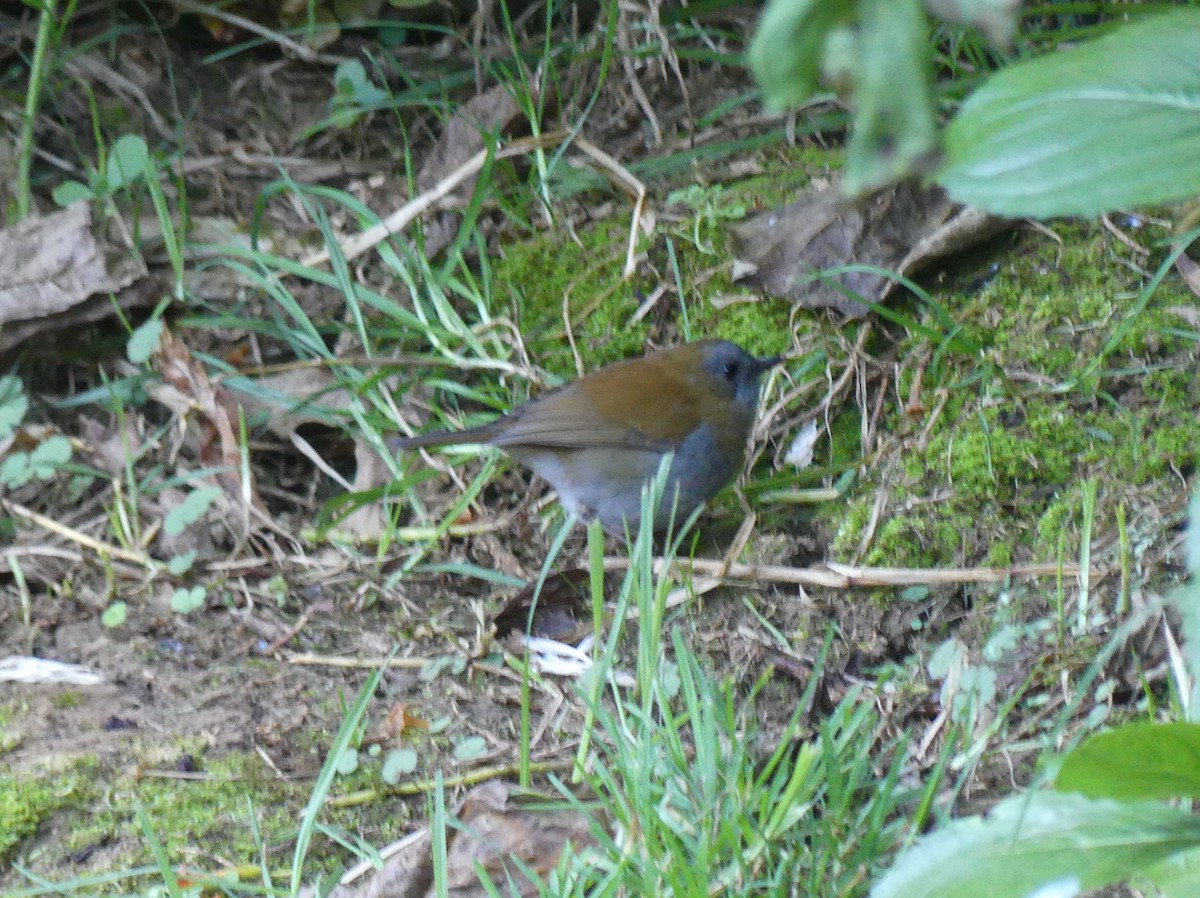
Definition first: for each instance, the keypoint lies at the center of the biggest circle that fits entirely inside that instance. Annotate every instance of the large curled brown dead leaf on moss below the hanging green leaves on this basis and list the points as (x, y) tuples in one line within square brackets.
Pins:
[(902, 230)]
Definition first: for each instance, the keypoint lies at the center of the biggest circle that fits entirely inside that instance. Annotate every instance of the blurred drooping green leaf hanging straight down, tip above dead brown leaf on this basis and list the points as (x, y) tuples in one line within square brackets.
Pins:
[(895, 133)]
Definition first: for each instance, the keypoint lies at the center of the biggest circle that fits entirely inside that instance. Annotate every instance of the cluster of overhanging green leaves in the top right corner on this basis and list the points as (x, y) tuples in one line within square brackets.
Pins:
[(1109, 124)]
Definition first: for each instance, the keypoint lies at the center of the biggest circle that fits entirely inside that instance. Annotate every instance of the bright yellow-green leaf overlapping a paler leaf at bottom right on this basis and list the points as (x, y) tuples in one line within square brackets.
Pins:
[(1136, 762)]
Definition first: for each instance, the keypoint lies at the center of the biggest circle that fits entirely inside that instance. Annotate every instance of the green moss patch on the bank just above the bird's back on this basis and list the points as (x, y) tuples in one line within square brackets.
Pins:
[(583, 267)]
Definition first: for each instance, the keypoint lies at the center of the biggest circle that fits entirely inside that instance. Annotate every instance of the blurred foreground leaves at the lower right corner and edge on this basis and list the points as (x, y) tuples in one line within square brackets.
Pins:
[(1096, 830)]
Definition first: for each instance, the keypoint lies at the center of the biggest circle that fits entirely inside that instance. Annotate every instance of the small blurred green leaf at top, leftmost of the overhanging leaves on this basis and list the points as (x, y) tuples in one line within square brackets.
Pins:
[(789, 46)]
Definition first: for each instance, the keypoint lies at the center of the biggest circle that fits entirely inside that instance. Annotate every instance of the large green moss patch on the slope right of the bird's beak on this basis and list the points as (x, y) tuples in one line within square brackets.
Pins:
[(998, 477)]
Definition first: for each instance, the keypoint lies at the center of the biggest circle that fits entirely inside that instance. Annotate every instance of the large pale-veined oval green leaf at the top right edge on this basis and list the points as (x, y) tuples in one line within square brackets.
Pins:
[(1111, 124)]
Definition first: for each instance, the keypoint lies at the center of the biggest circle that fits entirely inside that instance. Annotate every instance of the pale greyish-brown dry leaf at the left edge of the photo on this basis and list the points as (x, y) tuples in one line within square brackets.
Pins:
[(58, 274)]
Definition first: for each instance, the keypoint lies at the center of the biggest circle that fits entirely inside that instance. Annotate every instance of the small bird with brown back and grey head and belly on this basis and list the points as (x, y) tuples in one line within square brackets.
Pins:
[(601, 439)]
